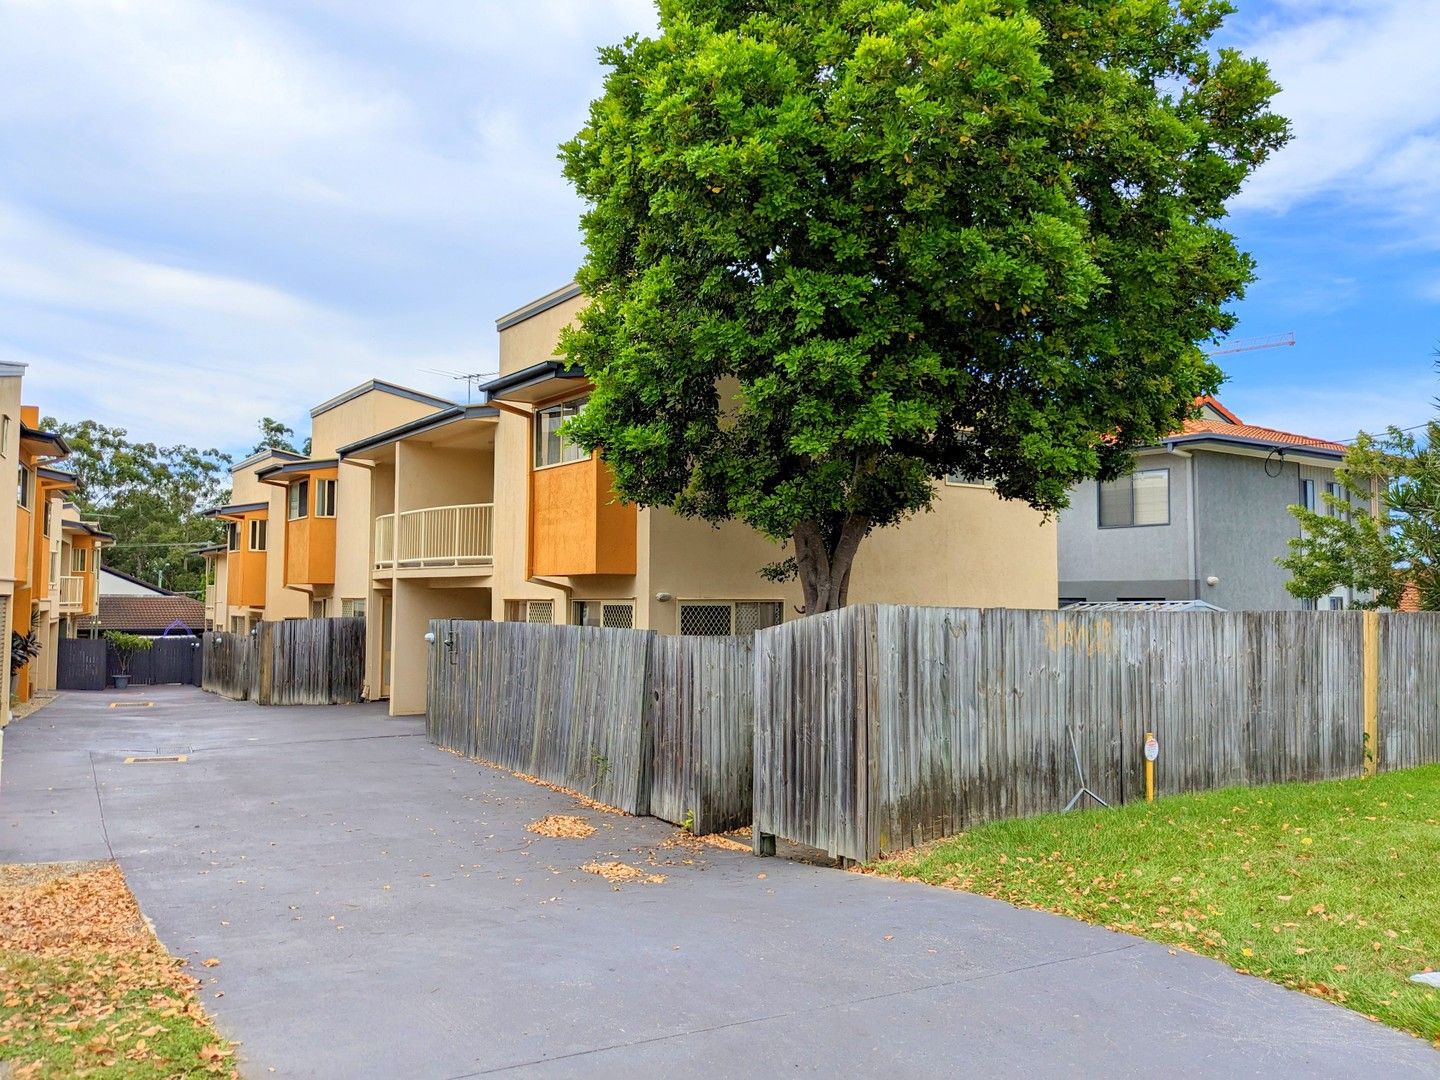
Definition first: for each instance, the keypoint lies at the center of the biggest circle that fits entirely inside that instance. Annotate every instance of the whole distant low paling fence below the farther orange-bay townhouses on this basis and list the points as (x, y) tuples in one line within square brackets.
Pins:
[(292, 663)]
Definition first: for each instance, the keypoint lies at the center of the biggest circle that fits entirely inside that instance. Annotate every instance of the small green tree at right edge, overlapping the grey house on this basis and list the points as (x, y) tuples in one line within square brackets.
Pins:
[(1383, 534)]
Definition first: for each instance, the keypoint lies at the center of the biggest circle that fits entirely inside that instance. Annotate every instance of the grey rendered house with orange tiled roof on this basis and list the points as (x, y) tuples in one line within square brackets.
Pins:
[(1203, 518)]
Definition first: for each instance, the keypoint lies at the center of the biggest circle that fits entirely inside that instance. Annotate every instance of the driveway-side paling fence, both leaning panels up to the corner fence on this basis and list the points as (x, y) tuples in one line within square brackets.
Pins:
[(649, 725)]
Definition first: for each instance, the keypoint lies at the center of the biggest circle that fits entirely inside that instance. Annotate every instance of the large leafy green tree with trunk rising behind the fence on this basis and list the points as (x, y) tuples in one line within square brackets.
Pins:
[(839, 250)]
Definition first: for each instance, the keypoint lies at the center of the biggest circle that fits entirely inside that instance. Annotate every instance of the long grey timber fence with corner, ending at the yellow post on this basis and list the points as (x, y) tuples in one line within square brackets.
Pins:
[(879, 728)]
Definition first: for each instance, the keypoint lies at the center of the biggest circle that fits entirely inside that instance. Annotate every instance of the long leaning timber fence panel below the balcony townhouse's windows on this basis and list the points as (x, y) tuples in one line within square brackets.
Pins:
[(562, 703)]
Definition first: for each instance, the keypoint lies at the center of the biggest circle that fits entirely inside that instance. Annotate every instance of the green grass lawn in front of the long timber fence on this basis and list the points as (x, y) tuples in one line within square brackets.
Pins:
[(1326, 888)]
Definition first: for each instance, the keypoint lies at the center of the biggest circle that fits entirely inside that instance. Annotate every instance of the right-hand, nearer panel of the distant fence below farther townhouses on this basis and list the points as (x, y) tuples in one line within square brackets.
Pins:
[(309, 662)]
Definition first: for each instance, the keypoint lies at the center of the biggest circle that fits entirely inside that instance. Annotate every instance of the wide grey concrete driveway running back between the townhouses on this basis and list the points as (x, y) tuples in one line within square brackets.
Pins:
[(379, 911)]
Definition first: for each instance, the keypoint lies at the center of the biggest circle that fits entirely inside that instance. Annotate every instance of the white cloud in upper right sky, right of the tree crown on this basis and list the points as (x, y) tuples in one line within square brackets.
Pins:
[(1362, 87)]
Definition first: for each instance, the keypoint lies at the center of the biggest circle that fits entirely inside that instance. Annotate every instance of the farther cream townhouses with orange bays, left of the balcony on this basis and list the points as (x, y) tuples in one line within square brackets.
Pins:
[(299, 528)]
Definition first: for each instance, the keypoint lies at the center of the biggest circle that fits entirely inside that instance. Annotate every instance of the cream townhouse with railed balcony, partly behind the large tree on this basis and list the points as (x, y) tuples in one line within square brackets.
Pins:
[(486, 512)]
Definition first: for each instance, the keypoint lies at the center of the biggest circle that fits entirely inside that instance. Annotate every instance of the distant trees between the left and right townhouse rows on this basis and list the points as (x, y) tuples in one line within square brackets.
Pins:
[(150, 498)]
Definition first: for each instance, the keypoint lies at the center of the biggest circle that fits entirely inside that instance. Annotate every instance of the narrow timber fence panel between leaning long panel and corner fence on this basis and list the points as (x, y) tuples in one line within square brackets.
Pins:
[(703, 722)]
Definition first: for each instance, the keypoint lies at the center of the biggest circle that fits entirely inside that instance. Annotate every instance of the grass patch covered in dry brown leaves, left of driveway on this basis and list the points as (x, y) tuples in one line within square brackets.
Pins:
[(87, 987)]
